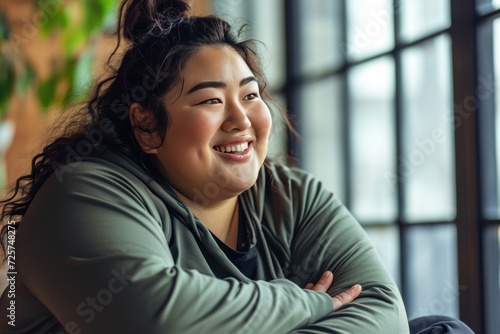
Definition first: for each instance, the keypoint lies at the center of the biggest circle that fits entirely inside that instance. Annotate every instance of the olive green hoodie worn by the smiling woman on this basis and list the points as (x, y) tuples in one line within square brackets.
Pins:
[(104, 248)]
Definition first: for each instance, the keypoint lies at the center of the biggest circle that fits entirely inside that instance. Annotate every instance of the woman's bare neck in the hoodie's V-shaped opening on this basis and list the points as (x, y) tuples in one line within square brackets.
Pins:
[(221, 218)]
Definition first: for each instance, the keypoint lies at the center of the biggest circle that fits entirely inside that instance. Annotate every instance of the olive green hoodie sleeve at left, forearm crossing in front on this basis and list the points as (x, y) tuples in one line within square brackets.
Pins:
[(90, 250)]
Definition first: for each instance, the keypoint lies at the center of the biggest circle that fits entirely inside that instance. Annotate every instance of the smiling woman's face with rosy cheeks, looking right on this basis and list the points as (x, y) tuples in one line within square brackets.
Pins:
[(218, 130)]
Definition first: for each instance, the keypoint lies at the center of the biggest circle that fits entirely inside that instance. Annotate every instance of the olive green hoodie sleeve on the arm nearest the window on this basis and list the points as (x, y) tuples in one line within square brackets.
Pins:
[(327, 237)]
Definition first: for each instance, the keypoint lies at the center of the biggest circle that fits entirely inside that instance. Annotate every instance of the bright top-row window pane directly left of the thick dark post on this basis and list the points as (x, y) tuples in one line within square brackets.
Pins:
[(423, 17)]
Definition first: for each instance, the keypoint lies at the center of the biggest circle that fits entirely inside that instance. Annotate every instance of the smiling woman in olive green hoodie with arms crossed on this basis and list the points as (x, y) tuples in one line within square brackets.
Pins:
[(157, 212)]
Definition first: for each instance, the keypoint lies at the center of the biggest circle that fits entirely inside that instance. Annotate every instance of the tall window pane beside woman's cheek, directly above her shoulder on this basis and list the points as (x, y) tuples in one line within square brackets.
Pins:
[(321, 133)]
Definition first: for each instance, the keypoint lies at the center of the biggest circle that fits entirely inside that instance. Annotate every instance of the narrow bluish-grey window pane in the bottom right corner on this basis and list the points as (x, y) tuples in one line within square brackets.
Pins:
[(492, 278)]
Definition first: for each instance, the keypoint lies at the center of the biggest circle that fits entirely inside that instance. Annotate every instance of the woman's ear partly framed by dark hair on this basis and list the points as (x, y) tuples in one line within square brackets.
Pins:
[(143, 121)]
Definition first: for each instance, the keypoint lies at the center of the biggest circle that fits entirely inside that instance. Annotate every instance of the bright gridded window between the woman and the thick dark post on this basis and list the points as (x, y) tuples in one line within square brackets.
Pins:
[(395, 145)]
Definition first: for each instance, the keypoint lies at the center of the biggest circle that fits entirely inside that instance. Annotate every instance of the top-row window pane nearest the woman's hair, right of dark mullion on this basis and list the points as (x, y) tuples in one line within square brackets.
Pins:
[(321, 33)]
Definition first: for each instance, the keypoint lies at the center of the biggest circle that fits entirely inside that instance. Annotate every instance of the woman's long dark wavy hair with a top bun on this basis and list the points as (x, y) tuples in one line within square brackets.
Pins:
[(161, 37)]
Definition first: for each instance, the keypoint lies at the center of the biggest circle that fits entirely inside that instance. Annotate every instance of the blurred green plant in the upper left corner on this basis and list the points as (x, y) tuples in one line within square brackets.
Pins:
[(76, 24)]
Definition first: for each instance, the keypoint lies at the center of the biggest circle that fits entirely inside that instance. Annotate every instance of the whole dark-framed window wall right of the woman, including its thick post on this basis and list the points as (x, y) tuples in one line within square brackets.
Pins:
[(397, 105)]
